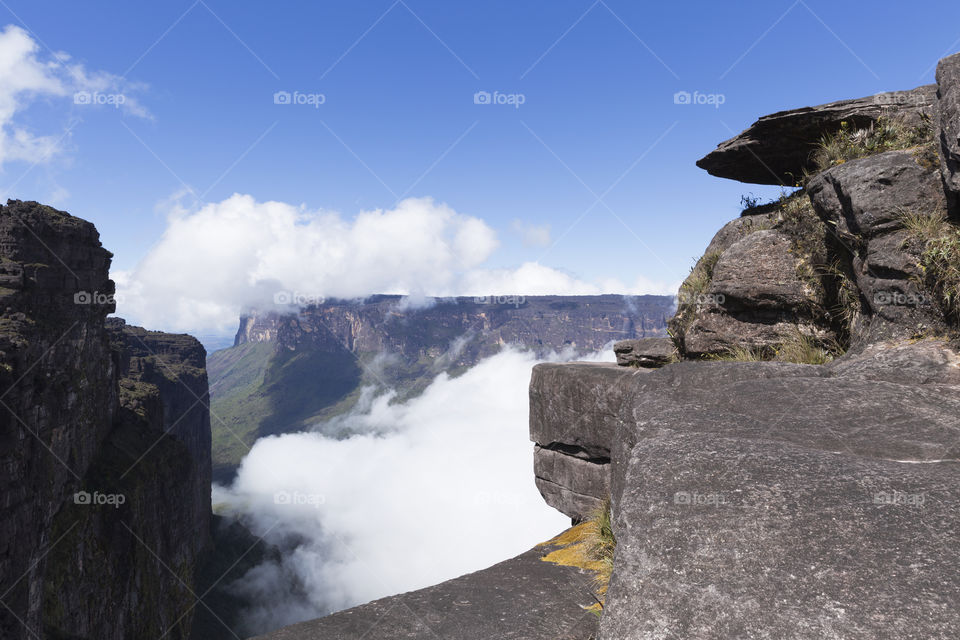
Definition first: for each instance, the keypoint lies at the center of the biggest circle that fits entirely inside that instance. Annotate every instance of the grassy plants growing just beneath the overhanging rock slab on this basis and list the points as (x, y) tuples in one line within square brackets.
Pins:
[(886, 134)]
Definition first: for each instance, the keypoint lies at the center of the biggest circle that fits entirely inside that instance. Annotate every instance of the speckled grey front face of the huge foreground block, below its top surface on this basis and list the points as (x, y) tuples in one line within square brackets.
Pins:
[(724, 538)]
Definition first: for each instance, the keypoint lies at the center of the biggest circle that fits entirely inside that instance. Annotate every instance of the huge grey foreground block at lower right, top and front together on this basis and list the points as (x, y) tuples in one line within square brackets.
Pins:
[(745, 494)]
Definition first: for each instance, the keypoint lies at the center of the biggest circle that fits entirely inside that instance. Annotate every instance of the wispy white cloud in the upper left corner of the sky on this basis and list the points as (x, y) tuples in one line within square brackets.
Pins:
[(28, 74)]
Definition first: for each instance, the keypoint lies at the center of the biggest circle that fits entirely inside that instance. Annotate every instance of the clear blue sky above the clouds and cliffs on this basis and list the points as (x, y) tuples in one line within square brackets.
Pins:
[(598, 151)]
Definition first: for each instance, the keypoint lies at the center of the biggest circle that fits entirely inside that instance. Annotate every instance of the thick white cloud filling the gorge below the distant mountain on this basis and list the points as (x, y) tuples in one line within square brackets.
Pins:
[(421, 492)]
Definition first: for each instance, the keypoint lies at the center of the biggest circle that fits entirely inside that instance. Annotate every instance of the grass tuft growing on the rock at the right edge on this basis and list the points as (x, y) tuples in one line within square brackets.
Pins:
[(939, 256)]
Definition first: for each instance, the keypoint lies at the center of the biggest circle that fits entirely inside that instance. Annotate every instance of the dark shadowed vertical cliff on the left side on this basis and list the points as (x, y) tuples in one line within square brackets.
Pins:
[(105, 464)]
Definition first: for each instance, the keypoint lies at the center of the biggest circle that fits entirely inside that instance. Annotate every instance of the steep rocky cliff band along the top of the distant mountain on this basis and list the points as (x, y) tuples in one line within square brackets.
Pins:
[(381, 324)]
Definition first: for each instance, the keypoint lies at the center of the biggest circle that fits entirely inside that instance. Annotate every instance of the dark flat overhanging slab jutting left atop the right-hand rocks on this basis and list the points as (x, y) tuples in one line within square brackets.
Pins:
[(776, 148)]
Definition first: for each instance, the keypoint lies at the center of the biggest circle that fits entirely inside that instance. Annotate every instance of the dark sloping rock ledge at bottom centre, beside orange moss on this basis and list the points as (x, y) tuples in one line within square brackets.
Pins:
[(523, 598)]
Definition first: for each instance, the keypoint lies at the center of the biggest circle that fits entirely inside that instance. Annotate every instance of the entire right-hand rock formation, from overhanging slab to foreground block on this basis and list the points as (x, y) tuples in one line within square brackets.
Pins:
[(795, 473)]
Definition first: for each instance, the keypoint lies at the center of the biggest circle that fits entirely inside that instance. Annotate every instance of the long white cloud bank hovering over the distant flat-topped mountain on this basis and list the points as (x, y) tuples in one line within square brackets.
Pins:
[(217, 261)]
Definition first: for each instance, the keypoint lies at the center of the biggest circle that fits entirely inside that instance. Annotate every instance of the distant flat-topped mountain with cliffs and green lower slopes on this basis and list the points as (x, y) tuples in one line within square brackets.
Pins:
[(286, 371)]
